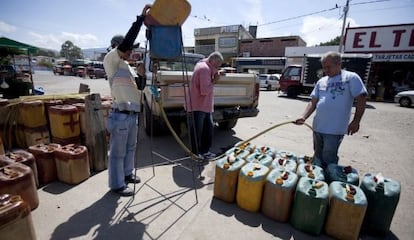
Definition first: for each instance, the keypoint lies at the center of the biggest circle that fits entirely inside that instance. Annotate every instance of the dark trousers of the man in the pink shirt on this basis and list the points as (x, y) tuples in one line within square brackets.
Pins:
[(201, 129)]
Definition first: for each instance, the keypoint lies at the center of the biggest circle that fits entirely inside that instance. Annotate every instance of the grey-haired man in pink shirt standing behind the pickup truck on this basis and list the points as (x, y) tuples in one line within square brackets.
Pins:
[(200, 104)]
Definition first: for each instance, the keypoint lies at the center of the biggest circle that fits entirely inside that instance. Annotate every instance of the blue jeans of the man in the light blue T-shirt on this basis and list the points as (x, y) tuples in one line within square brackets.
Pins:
[(326, 148)]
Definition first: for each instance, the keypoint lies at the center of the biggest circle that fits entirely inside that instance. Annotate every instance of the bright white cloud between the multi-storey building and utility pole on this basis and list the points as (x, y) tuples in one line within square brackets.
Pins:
[(317, 29)]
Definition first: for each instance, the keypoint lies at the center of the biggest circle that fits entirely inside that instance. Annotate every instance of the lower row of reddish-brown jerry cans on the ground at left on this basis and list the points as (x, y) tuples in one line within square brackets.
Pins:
[(21, 171)]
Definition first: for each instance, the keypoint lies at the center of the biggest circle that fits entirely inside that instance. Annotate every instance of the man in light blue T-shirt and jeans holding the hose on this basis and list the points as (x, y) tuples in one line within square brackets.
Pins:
[(332, 98)]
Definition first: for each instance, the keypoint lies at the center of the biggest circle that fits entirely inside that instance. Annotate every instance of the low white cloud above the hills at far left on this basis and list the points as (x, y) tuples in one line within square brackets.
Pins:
[(55, 41)]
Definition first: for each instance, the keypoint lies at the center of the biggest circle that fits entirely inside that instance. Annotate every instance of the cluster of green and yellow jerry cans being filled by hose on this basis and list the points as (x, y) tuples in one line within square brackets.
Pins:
[(286, 188)]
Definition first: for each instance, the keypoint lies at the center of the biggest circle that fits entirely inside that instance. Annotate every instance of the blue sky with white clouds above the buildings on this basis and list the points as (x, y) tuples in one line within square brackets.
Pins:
[(92, 23)]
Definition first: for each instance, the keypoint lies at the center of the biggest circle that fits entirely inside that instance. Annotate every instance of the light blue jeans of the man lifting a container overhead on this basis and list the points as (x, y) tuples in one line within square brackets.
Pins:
[(123, 140)]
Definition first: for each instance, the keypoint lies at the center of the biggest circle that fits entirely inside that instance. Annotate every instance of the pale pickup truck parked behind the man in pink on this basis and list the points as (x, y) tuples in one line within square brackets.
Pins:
[(236, 95)]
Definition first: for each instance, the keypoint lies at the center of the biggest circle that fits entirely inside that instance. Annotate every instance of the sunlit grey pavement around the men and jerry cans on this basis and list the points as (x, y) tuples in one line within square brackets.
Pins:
[(165, 206)]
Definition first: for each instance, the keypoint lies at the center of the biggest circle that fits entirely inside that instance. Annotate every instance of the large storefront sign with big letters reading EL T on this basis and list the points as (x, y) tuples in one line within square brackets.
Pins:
[(380, 39)]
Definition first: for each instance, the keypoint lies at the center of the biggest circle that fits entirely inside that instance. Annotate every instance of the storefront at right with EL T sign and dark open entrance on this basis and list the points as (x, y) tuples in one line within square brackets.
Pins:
[(392, 47)]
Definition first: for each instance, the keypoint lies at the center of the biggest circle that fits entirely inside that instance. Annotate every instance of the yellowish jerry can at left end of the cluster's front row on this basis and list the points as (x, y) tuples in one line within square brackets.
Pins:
[(226, 176)]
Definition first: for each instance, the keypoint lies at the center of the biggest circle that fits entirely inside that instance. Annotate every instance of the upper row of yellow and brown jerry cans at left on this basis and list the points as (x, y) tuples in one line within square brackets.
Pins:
[(46, 121)]
